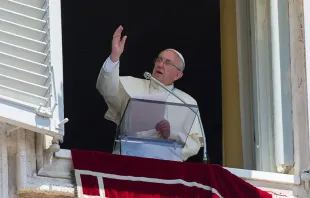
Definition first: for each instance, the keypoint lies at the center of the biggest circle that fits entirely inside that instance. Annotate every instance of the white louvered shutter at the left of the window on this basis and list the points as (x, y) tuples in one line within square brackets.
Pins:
[(31, 65)]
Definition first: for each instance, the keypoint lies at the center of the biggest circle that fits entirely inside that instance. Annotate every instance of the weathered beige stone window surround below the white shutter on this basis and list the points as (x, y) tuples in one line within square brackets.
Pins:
[(19, 173)]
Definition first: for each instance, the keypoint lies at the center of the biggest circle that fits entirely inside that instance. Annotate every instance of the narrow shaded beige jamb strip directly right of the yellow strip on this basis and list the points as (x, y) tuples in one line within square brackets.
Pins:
[(245, 83)]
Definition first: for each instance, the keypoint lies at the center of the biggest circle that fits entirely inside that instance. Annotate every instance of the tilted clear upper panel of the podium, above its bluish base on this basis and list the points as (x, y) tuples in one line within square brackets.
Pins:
[(142, 116)]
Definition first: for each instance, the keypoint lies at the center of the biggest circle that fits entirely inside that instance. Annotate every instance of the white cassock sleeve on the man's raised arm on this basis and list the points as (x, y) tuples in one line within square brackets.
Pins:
[(109, 86)]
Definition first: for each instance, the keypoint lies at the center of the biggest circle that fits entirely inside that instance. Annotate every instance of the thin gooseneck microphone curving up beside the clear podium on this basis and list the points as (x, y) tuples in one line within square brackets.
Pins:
[(149, 76)]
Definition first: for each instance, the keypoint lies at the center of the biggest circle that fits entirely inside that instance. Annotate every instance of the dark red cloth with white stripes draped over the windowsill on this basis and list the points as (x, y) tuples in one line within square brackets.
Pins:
[(126, 176)]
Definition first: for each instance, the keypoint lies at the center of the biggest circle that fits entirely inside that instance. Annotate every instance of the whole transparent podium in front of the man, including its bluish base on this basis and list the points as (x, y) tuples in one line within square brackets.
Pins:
[(136, 133)]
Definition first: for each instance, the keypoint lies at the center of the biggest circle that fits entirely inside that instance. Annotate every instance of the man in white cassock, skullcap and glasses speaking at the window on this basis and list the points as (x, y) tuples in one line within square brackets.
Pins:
[(116, 90)]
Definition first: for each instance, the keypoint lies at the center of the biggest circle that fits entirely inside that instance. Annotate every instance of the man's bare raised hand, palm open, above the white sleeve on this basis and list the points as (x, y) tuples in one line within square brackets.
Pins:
[(118, 44)]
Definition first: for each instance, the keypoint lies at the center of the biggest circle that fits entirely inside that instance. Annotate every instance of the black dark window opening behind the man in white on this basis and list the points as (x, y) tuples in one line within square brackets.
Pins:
[(193, 28)]
